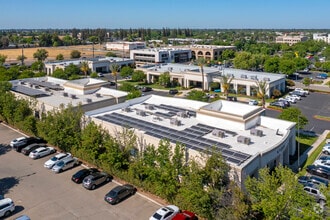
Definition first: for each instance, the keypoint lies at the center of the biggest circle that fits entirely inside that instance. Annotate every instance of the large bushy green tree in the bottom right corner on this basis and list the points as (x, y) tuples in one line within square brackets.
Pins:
[(278, 195)]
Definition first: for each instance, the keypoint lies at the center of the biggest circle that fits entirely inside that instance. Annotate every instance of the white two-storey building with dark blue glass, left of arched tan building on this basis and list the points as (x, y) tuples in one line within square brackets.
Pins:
[(164, 55)]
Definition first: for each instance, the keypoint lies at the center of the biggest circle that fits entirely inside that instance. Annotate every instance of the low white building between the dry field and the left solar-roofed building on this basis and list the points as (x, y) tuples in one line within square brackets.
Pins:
[(99, 65)]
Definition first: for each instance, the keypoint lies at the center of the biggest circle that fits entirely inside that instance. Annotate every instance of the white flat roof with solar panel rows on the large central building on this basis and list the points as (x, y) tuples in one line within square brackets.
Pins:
[(161, 113)]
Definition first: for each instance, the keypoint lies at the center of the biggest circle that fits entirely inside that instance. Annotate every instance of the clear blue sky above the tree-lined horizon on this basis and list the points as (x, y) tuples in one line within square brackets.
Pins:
[(173, 14)]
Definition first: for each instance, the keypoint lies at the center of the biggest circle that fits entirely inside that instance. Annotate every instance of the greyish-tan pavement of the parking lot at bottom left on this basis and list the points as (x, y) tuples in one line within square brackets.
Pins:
[(42, 194)]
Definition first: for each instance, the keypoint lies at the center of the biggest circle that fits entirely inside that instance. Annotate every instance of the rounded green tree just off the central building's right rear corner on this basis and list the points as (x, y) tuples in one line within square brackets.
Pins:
[(294, 114)]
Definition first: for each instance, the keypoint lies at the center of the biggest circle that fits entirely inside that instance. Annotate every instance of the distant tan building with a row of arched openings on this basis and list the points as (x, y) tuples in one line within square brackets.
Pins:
[(209, 52)]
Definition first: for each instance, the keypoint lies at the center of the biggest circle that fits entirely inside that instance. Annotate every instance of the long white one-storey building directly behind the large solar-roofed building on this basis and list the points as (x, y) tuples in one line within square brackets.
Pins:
[(243, 83)]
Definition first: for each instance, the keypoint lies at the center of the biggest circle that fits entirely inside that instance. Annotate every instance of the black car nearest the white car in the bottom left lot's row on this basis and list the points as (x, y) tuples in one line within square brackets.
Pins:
[(119, 193)]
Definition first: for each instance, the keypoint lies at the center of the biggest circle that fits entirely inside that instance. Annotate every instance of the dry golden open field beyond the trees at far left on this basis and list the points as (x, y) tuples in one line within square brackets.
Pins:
[(86, 51)]
